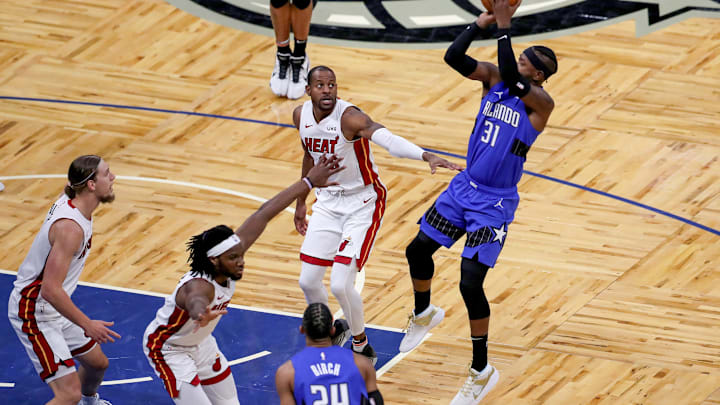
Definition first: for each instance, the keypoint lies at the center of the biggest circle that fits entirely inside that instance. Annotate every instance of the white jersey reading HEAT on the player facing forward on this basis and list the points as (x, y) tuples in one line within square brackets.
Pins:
[(326, 137)]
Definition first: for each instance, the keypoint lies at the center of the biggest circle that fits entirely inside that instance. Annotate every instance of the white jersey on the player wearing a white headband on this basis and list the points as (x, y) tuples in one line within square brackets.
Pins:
[(173, 325)]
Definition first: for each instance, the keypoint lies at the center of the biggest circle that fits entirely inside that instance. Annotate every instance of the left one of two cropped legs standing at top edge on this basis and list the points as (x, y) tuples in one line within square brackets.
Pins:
[(280, 16)]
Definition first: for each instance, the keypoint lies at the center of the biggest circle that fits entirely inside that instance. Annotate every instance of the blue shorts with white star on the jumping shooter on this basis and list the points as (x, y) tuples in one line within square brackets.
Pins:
[(466, 207)]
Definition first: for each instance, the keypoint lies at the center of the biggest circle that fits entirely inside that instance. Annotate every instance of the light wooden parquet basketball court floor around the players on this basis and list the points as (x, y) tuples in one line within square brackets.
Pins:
[(594, 301)]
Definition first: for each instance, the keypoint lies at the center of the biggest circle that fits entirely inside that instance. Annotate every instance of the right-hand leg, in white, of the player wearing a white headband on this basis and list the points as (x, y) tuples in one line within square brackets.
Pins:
[(216, 378)]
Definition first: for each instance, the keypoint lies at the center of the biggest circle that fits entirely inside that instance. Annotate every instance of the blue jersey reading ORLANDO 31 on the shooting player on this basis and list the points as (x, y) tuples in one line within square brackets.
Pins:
[(500, 139)]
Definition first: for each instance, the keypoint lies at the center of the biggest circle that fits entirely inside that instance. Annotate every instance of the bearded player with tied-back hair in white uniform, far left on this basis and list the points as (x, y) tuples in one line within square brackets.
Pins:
[(52, 329)]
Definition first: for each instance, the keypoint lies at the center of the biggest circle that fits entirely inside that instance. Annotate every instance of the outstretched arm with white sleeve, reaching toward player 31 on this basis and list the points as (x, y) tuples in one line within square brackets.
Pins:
[(356, 123)]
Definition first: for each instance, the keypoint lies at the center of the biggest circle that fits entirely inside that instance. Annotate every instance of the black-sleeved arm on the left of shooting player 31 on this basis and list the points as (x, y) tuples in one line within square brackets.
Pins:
[(457, 58)]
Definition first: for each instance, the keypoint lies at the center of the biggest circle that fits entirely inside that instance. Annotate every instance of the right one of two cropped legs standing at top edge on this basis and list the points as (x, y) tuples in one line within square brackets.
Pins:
[(300, 15)]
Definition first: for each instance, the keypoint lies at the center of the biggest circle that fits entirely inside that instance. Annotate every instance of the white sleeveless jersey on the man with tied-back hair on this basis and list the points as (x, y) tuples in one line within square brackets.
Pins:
[(32, 268)]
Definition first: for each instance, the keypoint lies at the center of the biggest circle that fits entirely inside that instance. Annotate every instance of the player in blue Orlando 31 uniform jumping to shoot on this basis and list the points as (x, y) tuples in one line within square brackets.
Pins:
[(481, 201)]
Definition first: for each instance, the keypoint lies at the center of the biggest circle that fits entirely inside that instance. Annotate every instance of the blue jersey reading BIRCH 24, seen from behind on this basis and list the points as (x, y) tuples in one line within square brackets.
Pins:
[(327, 375)]
